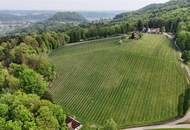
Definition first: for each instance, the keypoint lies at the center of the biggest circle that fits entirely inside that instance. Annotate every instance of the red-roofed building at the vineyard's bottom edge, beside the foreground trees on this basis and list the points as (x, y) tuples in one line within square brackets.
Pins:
[(72, 124)]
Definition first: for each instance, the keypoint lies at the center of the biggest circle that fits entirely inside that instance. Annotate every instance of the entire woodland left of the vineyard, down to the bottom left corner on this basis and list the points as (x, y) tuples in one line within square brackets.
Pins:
[(23, 67)]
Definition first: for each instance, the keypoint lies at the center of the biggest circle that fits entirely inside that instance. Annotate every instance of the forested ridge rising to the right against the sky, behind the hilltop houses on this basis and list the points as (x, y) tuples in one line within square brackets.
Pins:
[(174, 9)]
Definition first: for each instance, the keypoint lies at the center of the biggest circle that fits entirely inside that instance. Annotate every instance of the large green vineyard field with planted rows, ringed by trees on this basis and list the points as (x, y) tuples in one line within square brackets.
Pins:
[(136, 82)]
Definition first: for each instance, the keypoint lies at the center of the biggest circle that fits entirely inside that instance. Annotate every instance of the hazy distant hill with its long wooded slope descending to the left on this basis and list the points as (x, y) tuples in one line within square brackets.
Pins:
[(57, 22)]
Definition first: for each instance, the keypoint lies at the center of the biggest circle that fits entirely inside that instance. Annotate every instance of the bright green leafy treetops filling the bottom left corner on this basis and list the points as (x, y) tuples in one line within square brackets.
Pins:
[(20, 111)]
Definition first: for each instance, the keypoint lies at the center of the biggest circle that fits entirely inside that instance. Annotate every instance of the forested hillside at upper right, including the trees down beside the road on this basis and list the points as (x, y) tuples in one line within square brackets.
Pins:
[(172, 16)]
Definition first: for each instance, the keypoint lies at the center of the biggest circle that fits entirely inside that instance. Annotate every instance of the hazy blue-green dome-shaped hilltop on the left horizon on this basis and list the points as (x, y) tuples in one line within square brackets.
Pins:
[(68, 17)]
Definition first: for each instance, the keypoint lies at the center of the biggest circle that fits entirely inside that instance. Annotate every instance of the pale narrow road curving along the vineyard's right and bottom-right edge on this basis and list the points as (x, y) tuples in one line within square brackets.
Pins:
[(175, 123)]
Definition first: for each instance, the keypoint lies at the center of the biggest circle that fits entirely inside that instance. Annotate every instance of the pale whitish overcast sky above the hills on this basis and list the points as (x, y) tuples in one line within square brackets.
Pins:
[(76, 5)]
